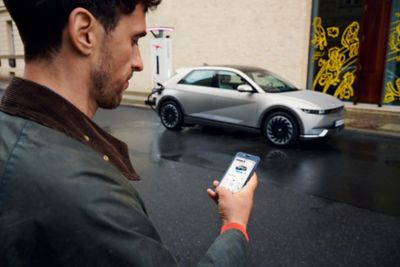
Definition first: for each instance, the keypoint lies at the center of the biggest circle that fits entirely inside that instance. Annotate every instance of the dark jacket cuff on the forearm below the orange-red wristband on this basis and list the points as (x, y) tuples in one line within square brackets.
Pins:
[(229, 249)]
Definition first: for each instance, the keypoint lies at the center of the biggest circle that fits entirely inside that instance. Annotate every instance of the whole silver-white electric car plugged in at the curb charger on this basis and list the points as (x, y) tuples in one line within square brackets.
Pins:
[(246, 98)]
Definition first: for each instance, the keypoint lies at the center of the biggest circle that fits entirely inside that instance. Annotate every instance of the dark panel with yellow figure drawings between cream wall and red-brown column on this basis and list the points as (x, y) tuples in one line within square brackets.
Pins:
[(334, 47)]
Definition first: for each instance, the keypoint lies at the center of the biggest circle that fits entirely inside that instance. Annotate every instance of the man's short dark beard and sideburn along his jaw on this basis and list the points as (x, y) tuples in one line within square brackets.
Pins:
[(104, 94)]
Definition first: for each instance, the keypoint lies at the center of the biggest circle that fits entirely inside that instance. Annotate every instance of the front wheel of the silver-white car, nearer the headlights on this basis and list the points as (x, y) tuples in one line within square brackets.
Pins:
[(280, 129)]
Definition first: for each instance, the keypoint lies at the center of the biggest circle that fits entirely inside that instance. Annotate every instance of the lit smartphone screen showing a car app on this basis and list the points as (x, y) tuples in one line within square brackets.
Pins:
[(237, 174)]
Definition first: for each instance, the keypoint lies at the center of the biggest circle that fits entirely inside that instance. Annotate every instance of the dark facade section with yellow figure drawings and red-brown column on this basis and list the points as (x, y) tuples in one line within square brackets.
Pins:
[(354, 50)]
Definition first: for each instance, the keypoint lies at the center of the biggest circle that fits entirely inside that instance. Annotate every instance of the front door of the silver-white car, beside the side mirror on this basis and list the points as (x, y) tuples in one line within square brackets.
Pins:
[(230, 105)]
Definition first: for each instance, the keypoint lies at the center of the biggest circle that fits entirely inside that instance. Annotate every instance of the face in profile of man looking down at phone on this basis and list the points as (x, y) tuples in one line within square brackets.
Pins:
[(118, 58)]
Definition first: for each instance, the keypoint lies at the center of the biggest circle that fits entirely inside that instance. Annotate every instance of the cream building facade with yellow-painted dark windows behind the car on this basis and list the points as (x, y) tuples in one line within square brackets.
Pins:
[(346, 48)]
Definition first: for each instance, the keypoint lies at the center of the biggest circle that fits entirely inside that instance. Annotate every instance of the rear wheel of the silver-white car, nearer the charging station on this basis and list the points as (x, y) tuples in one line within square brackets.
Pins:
[(171, 115)]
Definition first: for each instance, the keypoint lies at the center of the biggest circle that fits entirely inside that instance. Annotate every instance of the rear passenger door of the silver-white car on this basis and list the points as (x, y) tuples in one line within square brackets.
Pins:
[(194, 93)]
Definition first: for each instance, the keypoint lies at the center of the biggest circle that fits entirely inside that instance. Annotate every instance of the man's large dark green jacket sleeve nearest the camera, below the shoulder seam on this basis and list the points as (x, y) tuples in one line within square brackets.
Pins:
[(66, 206)]
